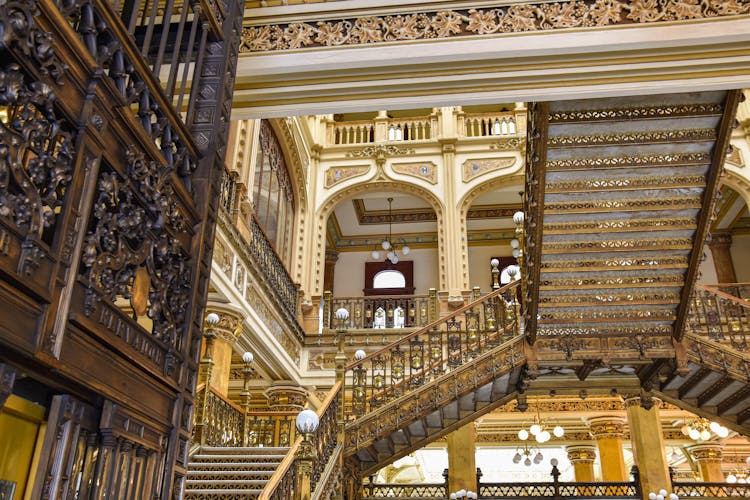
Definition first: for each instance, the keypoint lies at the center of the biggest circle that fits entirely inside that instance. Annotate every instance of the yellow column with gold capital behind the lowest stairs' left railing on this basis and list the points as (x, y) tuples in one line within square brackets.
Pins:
[(226, 331)]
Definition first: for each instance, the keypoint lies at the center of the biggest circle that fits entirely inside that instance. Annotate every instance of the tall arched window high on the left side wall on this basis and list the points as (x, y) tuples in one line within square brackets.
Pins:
[(273, 198)]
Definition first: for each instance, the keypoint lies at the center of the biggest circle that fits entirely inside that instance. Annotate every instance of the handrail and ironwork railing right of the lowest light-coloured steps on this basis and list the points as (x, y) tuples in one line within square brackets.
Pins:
[(311, 456)]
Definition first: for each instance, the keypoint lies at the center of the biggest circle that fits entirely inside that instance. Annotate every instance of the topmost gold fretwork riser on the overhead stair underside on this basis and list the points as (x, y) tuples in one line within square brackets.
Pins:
[(637, 113)]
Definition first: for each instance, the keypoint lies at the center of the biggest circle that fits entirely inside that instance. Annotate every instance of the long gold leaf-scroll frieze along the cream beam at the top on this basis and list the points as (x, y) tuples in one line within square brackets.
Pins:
[(518, 17)]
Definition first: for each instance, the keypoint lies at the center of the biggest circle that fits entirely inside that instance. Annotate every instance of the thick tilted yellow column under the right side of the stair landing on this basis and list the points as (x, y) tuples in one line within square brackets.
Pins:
[(647, 441)]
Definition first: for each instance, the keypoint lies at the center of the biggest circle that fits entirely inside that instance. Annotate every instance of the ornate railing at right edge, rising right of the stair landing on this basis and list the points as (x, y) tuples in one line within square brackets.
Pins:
[(719, 316)]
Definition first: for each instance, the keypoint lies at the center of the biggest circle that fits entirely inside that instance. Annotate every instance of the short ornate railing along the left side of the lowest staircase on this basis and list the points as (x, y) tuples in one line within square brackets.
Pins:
[(218, 421)]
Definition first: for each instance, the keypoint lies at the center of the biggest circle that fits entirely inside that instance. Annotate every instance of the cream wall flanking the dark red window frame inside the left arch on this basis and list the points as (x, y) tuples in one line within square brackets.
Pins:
[(349, 277)]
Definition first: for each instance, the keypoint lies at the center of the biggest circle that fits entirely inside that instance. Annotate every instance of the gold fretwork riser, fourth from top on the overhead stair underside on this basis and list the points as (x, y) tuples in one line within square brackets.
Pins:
[(626, 183)]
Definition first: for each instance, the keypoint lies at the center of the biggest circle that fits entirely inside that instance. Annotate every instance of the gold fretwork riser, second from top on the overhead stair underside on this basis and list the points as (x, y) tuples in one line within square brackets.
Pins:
[(647, 137)]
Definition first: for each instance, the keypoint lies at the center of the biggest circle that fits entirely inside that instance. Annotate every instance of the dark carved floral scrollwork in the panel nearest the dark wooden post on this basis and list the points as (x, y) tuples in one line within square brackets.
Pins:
[(136, 226)]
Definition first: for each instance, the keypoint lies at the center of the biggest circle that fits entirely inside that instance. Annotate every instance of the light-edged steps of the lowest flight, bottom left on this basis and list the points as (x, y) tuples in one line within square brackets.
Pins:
[(224, 473)]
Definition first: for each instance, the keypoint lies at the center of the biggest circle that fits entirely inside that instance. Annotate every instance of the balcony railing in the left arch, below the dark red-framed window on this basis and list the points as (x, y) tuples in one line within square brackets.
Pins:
[(382, 311)]
